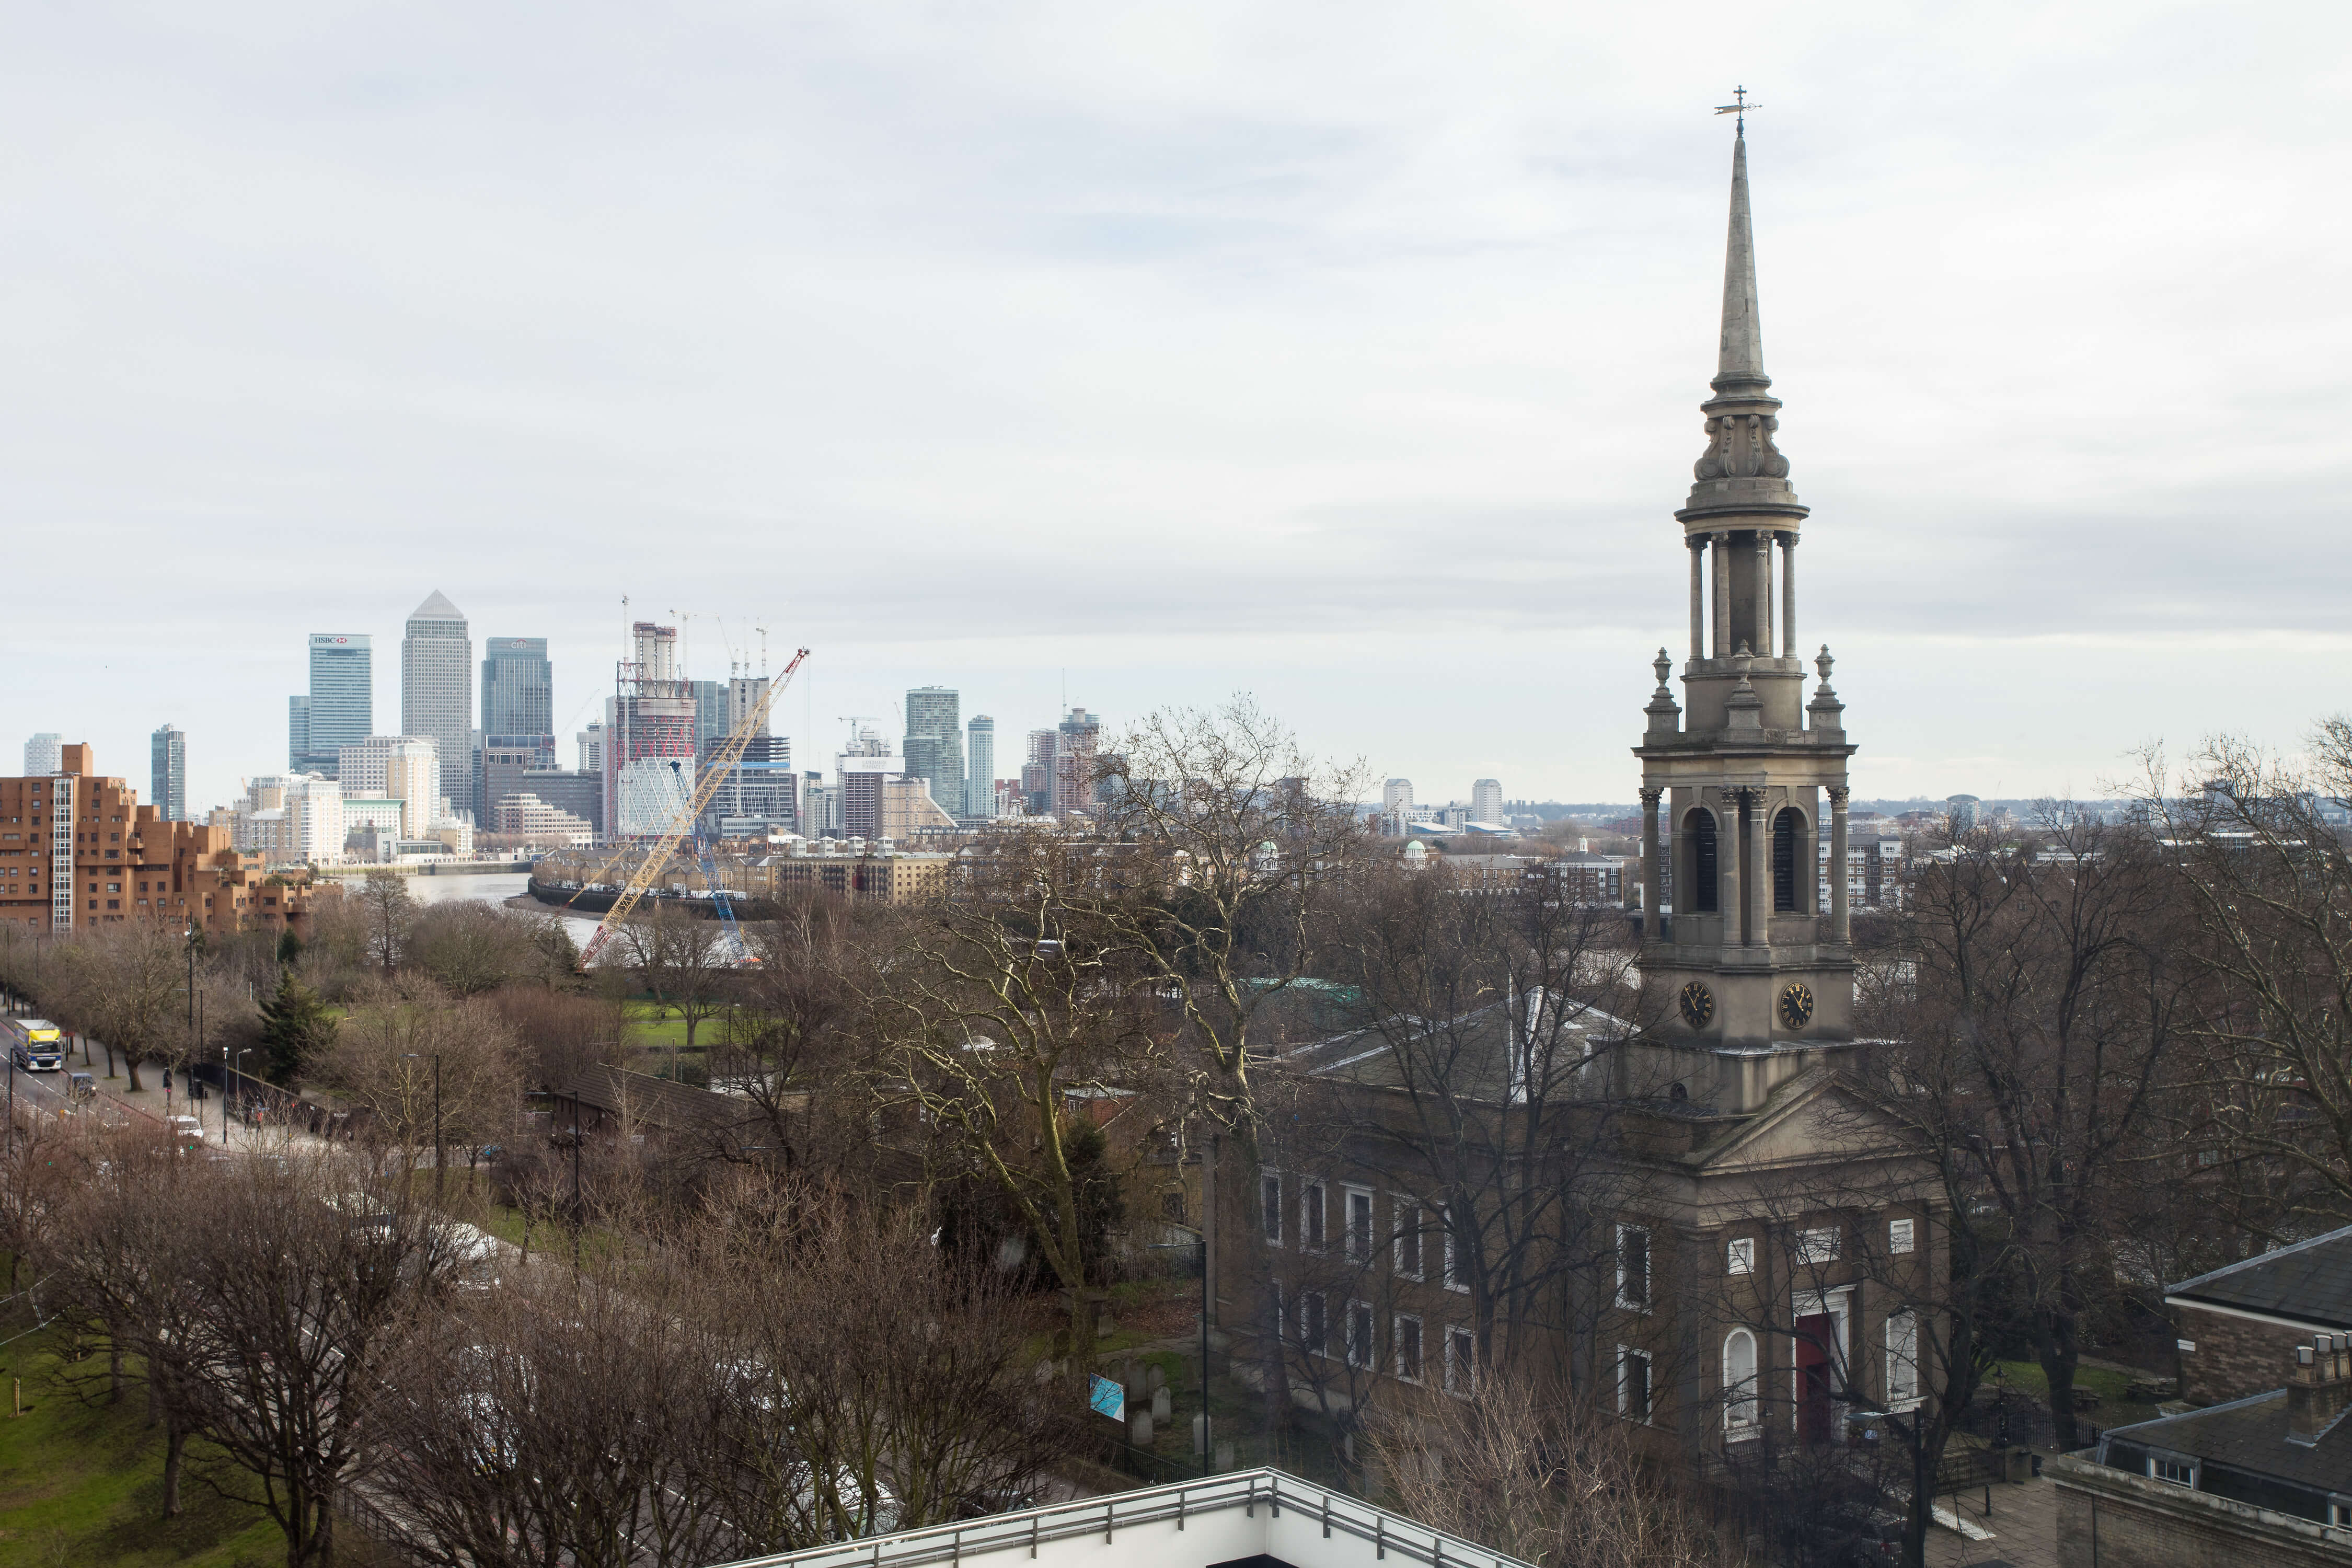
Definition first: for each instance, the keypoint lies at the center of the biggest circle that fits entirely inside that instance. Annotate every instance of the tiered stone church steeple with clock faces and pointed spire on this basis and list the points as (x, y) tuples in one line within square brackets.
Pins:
[(1746, 777)]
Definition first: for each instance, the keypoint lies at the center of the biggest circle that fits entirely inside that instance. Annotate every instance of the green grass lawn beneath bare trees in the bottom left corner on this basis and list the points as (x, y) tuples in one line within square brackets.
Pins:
[(83, 1485)]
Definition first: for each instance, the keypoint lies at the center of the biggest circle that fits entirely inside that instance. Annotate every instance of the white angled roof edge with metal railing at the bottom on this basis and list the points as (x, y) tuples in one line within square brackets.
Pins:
[(1250, 1492)]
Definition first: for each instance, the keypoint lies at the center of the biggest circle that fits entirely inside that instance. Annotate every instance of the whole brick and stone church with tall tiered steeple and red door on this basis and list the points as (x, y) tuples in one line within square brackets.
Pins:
[(1681, 1207)]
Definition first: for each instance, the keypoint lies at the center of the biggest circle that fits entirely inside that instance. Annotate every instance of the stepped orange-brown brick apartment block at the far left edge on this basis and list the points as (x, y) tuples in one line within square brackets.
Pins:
[(79, 850)]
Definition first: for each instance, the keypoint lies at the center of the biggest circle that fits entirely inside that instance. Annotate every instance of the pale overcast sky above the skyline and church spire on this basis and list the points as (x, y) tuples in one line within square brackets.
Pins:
[(1347, 354)]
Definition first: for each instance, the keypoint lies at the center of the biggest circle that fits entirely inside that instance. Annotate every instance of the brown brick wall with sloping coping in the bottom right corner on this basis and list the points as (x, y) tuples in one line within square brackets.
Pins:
[(2113, 1520)]
